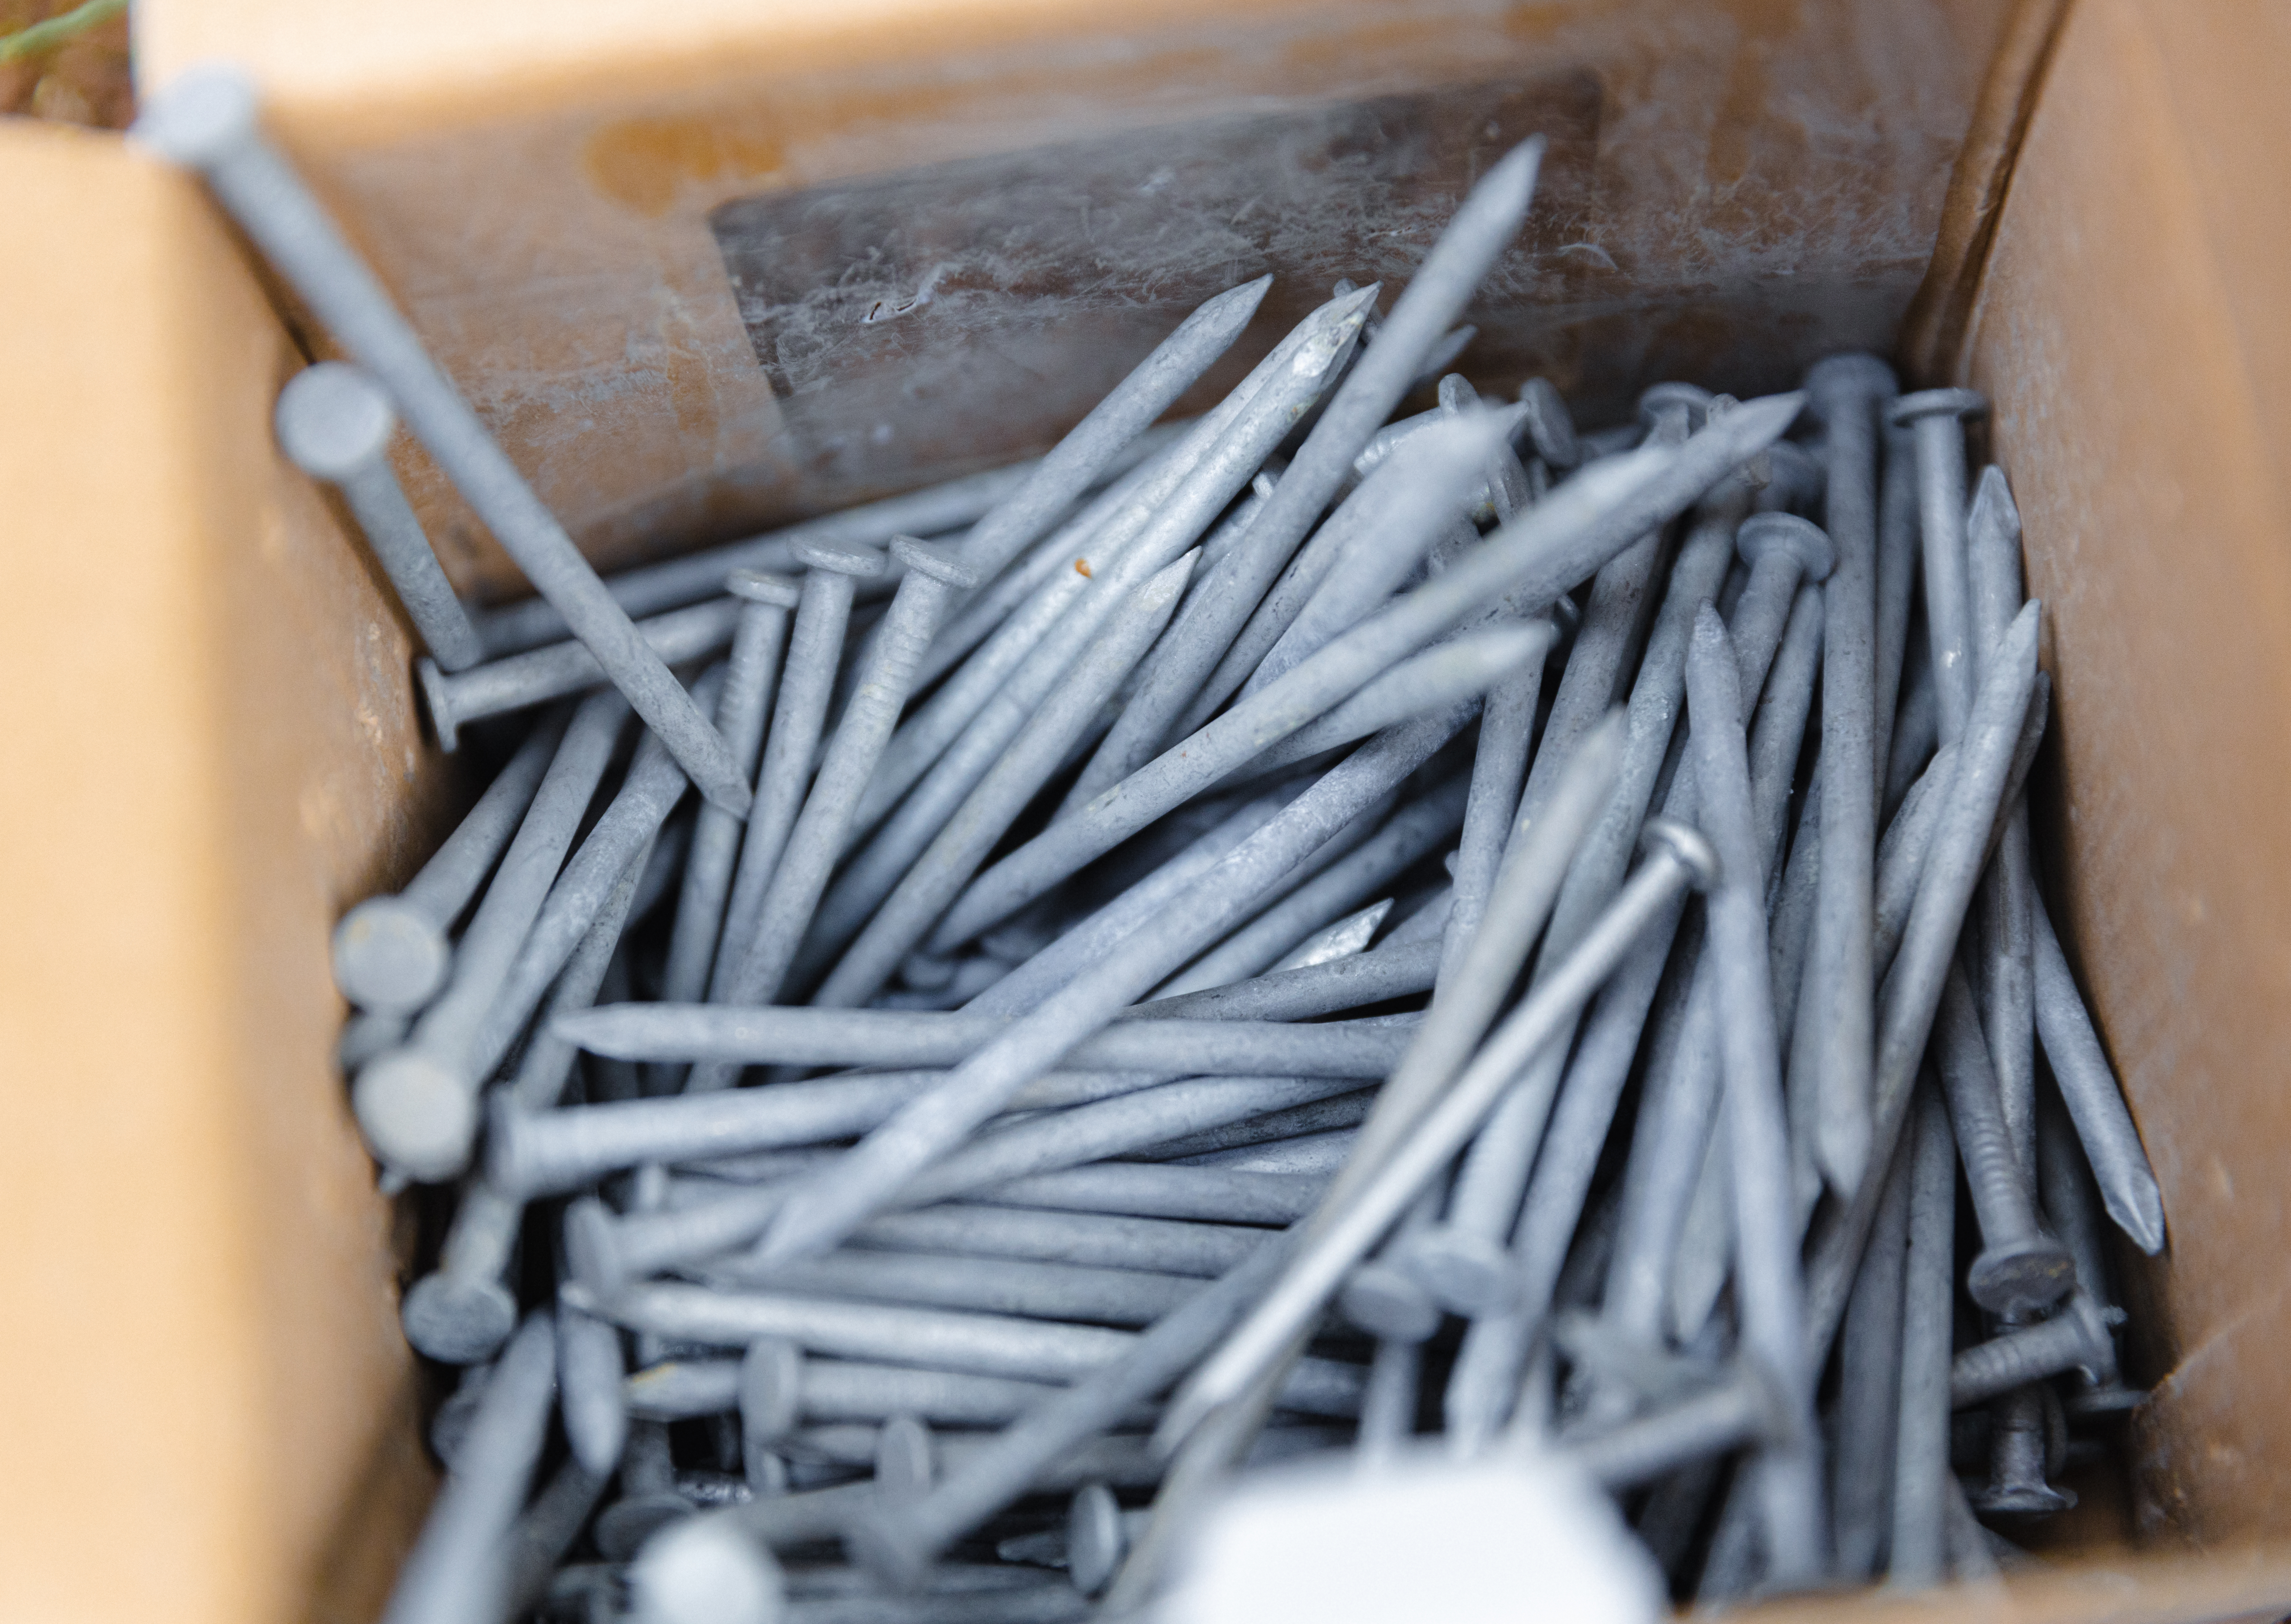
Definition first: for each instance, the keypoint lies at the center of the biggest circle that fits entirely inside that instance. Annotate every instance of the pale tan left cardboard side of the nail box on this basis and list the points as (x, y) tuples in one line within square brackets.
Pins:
[(212, 752)]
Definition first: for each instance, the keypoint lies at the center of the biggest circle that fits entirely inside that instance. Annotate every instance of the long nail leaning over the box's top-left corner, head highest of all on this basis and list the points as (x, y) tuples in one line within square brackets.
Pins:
[(210, 120)]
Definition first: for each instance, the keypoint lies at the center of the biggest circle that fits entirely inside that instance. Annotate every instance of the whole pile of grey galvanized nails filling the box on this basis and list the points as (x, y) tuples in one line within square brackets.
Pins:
[(1293, 931)]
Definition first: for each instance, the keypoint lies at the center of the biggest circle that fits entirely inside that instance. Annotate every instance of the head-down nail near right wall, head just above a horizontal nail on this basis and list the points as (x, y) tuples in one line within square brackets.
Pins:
[(2020, 1268)]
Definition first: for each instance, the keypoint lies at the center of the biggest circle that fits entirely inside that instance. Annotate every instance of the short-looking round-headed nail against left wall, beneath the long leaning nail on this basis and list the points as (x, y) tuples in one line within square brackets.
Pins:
[(336, 425)]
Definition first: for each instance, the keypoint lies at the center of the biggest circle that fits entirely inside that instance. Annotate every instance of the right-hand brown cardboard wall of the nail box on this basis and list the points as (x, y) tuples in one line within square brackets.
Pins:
[(2134, 338)]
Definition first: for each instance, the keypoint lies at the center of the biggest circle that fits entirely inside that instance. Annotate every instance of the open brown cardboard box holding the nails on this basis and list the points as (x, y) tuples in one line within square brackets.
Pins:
[(643, 244)]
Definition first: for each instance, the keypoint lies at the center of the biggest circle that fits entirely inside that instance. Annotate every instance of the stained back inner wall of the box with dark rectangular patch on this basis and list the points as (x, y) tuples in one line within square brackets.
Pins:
[(1733, 191)]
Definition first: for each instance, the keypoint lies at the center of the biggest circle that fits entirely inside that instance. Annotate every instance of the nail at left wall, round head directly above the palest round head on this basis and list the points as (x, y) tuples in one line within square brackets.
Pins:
[(391, 952)]
